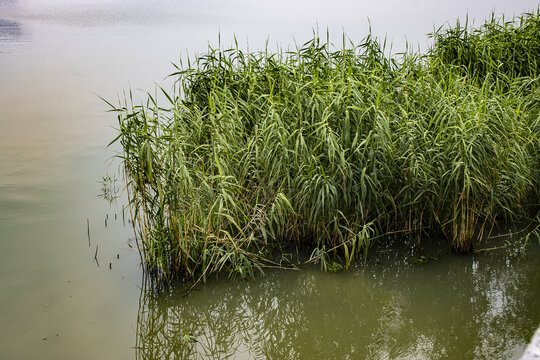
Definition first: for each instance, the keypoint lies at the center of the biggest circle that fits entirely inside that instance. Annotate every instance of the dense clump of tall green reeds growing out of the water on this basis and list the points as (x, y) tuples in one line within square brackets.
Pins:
[(333, 148)]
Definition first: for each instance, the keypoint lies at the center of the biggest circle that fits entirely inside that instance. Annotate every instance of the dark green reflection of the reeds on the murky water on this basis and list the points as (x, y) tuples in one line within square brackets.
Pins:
[(454, 308)]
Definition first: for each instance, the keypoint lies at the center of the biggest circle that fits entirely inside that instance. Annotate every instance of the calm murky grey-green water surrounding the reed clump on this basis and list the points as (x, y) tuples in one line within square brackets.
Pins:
[(57, 56)]
